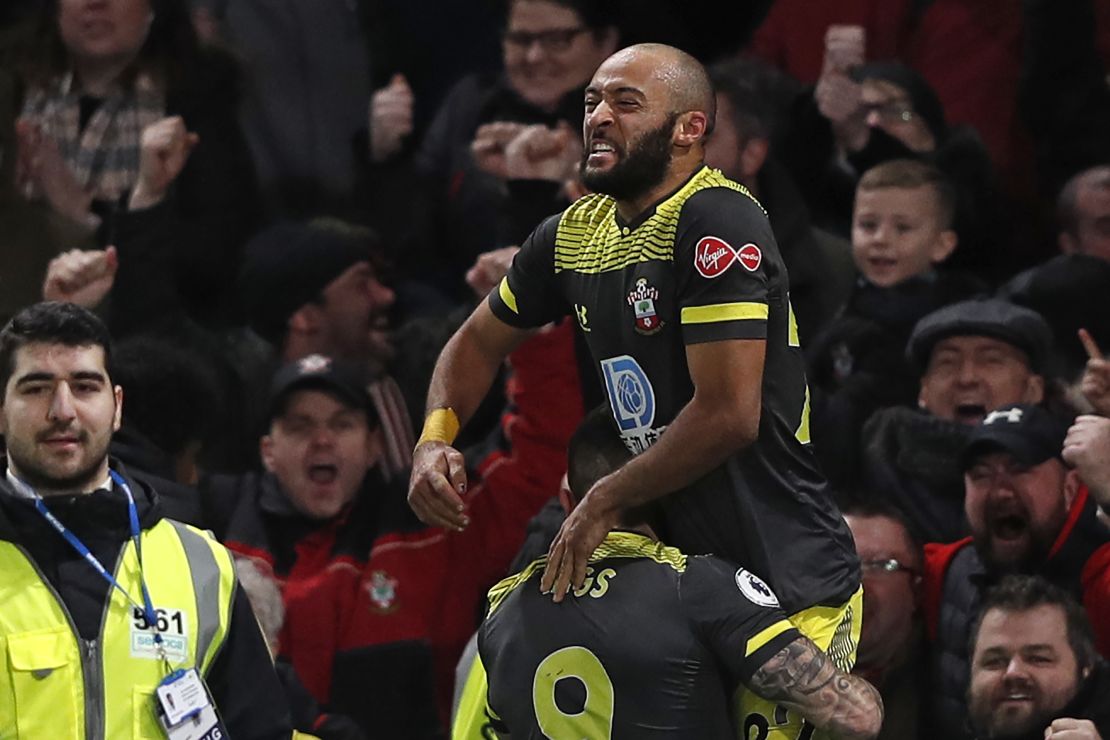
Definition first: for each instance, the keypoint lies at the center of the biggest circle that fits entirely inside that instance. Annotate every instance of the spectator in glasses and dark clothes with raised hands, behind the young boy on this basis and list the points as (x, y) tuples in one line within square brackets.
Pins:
[(864, 115)]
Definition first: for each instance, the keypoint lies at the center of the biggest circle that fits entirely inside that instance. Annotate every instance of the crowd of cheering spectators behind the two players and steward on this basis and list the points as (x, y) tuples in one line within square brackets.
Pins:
[(284, 210)]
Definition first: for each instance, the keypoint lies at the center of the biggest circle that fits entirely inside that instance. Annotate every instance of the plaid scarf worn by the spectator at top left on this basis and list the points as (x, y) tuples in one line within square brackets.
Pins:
[(105, 157)]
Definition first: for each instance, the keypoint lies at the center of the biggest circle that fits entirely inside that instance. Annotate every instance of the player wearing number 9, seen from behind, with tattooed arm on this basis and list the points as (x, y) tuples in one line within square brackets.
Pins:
[(653, 642)]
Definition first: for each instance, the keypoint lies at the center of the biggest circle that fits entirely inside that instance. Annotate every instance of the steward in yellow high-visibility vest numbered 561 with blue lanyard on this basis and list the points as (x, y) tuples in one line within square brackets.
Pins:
[(115, 623)]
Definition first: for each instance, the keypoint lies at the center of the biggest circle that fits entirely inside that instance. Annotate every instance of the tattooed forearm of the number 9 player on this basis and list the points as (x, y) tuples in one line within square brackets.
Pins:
[(801, 677)]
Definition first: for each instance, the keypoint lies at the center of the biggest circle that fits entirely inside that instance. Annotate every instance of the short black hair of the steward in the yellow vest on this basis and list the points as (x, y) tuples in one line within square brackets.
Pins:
[(52, 323)]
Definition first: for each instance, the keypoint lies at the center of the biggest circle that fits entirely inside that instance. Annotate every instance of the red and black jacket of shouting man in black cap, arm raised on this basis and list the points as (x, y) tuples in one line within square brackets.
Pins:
[(378, 606)]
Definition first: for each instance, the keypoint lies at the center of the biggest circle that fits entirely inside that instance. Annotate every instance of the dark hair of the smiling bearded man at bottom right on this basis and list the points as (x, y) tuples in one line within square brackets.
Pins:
[(1025, 593)]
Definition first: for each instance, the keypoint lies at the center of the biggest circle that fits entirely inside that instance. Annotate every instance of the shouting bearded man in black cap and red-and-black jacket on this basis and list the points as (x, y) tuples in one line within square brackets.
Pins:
[(1030, 514)]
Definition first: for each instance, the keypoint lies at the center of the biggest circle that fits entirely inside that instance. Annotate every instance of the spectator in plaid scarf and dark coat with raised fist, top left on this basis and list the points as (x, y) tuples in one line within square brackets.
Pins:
[(127, 137)]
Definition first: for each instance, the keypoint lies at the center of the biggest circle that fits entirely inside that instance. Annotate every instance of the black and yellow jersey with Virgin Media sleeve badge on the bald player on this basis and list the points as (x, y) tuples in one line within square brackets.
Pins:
[(702, 266)]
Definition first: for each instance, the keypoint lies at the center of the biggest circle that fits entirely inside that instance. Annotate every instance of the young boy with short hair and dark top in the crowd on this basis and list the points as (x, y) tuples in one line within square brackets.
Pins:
[(902, 234)]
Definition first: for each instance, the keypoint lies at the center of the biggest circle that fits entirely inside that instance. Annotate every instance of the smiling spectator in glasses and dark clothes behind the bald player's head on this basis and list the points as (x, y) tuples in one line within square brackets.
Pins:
[(550, 49)]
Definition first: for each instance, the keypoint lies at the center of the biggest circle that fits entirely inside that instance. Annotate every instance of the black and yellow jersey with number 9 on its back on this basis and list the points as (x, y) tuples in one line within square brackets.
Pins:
[(651, 646)]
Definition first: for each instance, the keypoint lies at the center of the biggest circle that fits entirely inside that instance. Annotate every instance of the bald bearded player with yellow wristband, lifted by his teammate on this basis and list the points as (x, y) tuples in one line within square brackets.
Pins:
[(679, 289)]
